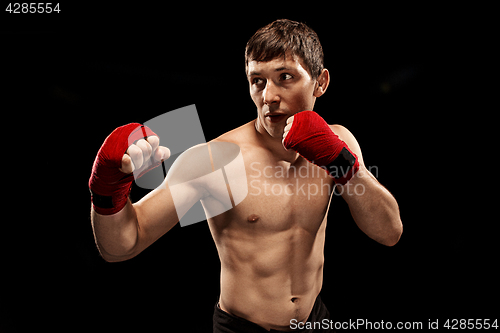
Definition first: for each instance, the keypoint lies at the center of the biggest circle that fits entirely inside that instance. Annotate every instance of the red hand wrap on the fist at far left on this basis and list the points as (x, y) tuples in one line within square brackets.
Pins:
[(108, 185)]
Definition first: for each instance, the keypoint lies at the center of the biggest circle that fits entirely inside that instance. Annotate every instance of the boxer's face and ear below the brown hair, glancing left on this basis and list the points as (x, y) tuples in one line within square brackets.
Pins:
[(280, 88)]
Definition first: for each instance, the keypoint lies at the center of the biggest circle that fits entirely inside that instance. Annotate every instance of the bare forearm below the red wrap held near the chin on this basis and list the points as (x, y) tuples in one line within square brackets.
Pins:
[(373, 208)]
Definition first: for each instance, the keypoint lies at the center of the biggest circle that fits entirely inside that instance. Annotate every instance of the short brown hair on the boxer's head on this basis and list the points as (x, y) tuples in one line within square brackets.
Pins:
[(282, 36)]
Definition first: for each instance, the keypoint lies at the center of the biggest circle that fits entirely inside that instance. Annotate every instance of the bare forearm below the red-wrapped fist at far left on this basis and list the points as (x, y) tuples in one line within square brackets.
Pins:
[(116, 235)]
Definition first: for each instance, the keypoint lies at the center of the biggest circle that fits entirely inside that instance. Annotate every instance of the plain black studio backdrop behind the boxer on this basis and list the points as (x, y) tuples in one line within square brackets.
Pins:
[(74, 78)]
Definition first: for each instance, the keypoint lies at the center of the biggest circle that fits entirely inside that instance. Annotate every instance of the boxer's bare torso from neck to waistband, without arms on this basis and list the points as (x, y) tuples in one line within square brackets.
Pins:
[(271, 244)]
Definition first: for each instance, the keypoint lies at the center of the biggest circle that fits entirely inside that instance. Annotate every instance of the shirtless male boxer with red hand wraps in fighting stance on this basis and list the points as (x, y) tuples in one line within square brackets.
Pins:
[(270, 244)]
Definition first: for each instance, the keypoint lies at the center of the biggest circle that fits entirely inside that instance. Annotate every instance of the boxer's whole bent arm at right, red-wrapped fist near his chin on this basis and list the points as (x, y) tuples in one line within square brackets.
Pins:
[(334, 148)]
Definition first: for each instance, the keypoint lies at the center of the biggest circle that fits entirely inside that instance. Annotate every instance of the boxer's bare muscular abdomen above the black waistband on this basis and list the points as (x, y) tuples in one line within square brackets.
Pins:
[(272, 278)]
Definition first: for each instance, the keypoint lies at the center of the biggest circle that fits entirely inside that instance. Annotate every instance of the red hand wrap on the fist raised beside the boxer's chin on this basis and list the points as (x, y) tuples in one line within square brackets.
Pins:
[(313, 139)]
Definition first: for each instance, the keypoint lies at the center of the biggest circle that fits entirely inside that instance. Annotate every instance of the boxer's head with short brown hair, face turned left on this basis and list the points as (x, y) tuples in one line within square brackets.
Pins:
[(284, 67)]
